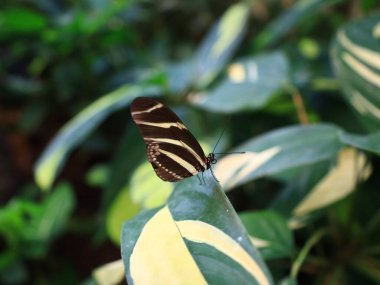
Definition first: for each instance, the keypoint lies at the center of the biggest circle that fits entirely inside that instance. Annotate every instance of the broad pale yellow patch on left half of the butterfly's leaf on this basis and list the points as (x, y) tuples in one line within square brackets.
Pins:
[(160, 255)]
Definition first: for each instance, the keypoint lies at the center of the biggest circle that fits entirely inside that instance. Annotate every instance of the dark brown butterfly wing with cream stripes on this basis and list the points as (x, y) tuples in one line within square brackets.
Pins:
[(171, 149)]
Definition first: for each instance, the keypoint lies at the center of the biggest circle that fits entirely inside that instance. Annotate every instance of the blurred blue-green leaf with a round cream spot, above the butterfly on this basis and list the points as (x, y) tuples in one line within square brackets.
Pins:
[(250, 83)]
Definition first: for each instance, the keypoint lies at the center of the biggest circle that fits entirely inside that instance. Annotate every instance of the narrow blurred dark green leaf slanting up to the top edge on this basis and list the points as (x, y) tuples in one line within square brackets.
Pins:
[(301, 11)]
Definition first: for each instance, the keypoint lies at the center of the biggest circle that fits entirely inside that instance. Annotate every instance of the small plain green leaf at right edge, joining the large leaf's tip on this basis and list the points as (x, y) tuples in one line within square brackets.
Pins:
[(369, 142)]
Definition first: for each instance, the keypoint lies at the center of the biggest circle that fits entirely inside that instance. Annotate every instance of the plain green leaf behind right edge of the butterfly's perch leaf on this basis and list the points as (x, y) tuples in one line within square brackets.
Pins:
[(272, 228)]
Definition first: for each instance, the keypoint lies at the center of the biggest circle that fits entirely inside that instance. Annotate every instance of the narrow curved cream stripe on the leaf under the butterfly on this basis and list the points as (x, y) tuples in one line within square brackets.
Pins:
[(201, 232)]
